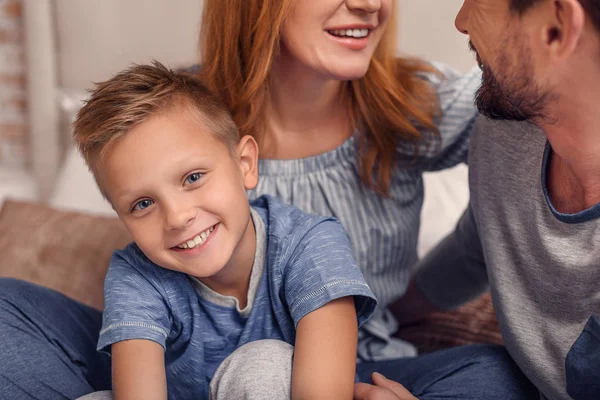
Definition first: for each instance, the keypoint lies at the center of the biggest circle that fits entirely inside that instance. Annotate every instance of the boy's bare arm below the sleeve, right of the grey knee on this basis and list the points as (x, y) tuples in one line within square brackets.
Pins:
[(325, 352)]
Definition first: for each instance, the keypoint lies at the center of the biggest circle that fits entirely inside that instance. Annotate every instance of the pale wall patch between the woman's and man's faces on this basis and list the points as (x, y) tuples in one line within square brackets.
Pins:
[(426, 29)]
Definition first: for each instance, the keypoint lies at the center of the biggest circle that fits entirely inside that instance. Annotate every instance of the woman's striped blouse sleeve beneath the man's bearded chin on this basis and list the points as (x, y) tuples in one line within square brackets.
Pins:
[(456, 96)]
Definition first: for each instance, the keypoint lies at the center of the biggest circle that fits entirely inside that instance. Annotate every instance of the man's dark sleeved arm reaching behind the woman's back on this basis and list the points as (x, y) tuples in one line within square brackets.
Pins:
[(454, 272)]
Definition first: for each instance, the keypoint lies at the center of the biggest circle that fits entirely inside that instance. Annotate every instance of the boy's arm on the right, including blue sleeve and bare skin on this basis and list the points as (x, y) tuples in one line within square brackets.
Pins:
[(328, 300)]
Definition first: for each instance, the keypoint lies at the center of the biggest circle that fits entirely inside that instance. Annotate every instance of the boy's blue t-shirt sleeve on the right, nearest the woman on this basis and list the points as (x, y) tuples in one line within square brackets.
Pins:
[(322, 268)]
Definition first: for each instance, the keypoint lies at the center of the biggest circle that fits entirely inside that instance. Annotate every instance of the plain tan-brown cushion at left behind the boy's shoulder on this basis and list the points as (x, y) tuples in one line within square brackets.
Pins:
[(65, 251)]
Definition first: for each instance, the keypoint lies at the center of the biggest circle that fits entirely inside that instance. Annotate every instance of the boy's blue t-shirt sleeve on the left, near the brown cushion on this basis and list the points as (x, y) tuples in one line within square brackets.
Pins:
[(135, 306)]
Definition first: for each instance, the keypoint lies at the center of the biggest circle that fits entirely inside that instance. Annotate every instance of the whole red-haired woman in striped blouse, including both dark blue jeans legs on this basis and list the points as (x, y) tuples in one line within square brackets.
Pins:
[(345, 129)]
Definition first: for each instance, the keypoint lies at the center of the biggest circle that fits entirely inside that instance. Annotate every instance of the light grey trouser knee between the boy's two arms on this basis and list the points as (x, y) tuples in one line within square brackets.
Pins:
[(260, 370)]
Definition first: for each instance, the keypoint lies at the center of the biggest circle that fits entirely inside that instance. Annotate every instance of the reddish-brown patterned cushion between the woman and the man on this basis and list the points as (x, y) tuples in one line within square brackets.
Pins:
[(474, 322)]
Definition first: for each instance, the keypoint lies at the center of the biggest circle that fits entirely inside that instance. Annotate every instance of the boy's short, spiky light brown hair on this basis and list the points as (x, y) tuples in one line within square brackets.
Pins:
[(138, 93)]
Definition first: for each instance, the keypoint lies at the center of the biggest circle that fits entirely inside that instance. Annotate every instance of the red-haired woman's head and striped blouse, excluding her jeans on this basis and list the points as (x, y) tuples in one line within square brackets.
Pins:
[(344, 127)]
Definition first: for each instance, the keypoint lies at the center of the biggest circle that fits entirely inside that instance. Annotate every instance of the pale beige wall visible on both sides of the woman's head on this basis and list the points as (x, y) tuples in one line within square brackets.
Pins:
[(97, 38)]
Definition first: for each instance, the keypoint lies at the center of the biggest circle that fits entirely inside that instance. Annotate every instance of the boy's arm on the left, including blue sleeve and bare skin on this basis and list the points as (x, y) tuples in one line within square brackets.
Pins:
[(136, 322)]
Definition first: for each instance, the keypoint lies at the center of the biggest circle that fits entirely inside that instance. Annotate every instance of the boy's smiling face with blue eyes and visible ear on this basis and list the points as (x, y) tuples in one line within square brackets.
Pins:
[(181, 194)]
